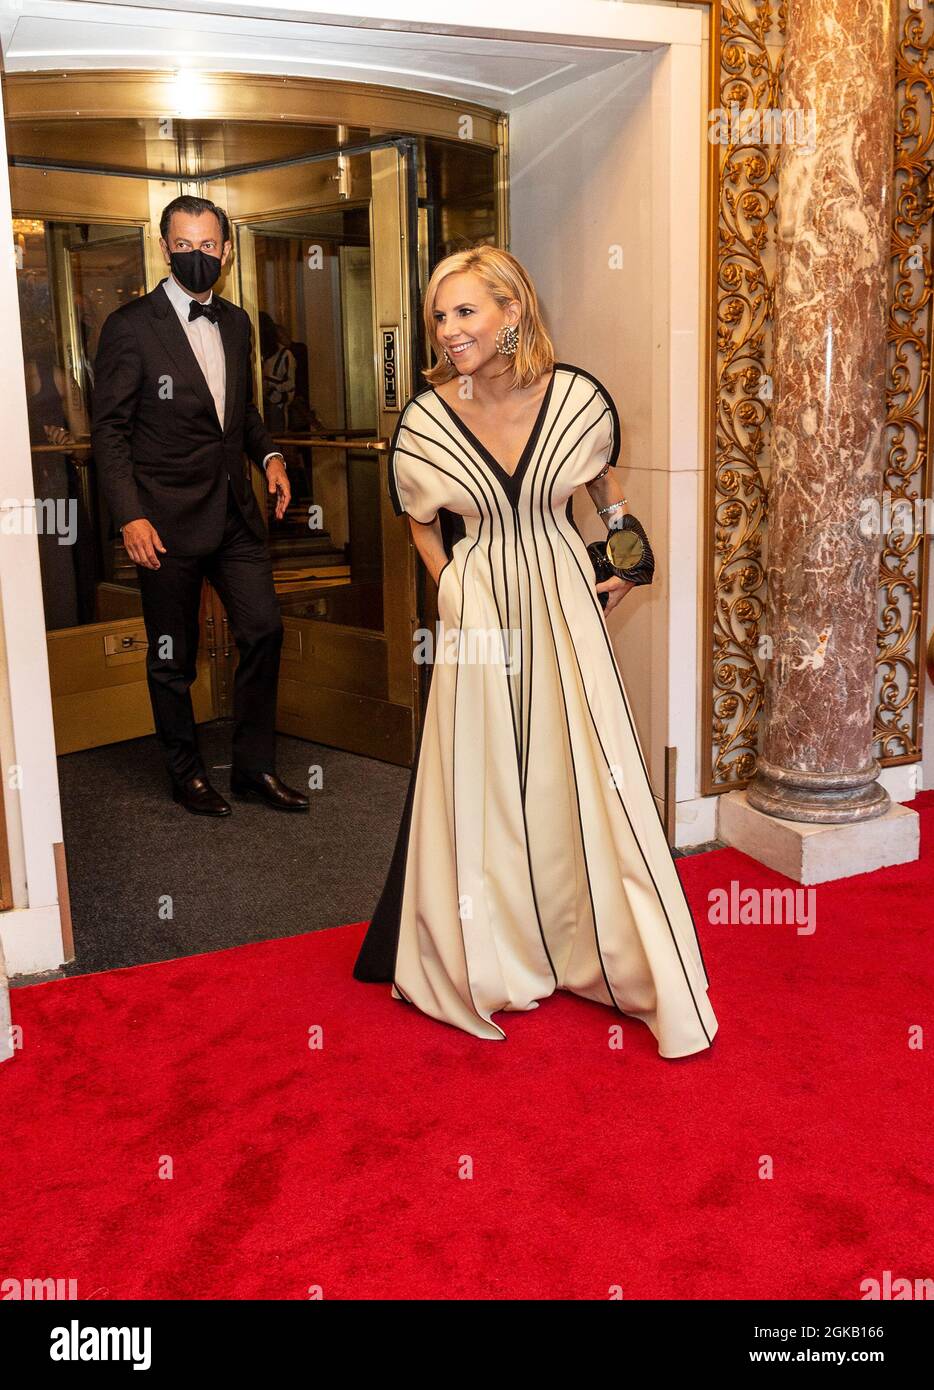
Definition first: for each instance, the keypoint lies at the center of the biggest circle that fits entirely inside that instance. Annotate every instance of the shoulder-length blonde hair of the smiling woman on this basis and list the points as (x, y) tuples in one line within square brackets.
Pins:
[(505, 279)]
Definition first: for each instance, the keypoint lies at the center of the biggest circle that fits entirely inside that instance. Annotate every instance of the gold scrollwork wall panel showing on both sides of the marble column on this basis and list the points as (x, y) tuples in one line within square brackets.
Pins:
[(744, 193)]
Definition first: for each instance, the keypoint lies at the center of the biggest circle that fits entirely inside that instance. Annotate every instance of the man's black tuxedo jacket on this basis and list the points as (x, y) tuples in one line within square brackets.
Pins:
[(159, 447)]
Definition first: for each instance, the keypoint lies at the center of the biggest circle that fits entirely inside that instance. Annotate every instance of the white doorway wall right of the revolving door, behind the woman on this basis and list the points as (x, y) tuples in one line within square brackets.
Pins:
[(618, 161)]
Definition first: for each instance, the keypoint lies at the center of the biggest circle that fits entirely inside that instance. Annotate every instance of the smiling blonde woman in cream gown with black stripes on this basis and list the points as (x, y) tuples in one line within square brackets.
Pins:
[(530, 857)]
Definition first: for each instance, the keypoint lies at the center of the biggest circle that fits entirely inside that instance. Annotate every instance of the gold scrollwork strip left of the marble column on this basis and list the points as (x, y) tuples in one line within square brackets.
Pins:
[(744, 197)]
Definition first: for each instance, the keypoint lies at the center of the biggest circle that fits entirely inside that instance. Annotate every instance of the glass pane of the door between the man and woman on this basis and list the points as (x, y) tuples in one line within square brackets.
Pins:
[(315, 315)]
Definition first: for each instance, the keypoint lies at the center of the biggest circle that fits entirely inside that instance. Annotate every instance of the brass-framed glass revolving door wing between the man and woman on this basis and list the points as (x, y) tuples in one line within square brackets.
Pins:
[(327, 288)]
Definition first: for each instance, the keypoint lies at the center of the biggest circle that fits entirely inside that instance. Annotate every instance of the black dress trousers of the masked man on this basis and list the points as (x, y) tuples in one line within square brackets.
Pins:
[(241, 571)]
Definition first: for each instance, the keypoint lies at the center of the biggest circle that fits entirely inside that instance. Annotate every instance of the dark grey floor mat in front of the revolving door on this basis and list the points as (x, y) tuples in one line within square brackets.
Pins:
[(149, 882)]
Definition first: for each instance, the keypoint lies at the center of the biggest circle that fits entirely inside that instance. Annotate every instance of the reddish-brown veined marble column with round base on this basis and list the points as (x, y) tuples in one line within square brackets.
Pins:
[(829, 408)]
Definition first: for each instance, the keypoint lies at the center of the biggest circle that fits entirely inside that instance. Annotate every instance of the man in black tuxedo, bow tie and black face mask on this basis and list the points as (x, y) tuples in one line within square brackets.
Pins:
[(173, 419)]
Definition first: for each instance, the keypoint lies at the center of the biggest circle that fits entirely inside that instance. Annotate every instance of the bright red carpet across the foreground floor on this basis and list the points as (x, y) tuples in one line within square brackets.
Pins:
[(338, 1167)]
